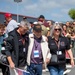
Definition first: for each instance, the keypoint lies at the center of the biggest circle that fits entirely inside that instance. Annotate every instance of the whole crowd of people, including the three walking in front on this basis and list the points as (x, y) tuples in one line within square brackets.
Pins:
[(33, 45)]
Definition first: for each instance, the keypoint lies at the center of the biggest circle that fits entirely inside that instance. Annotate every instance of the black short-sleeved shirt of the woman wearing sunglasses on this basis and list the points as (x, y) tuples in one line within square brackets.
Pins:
[(63, 46)]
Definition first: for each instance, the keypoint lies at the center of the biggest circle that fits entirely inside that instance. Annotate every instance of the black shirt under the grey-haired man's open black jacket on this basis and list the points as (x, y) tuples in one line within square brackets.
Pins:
[(22, 50)]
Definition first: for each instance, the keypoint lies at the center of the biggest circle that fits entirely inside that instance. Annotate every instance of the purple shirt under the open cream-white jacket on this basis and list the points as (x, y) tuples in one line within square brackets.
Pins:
[(36, 55)]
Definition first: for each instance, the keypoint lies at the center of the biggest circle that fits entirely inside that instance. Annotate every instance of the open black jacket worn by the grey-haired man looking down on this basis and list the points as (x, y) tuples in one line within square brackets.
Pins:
[(12, 46)]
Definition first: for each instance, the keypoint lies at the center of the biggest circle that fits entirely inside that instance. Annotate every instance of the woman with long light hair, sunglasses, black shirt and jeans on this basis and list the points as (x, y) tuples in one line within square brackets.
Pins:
[(58, 44)]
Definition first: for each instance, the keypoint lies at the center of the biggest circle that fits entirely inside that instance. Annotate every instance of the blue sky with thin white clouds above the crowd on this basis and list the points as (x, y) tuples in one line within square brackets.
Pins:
[(56, 10)]
